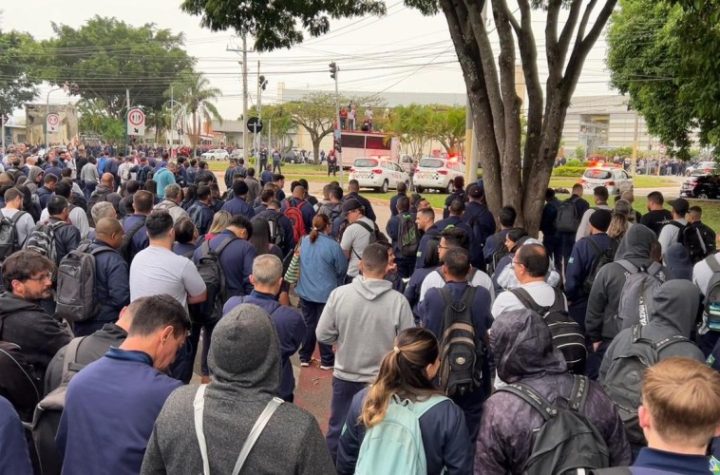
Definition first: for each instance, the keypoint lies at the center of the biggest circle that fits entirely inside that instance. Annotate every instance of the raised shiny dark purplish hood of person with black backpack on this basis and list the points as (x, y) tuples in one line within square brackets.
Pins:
[(522, 345)]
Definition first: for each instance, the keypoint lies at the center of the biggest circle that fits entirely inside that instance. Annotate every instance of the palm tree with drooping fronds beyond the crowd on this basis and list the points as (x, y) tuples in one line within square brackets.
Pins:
[(194, 96)]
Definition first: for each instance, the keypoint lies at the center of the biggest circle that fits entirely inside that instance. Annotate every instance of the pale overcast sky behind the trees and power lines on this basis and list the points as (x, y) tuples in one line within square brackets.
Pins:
[(403, 51)]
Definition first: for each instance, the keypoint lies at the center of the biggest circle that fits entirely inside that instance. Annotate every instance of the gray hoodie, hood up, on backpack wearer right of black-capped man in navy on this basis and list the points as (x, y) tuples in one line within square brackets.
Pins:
[(600, 319)]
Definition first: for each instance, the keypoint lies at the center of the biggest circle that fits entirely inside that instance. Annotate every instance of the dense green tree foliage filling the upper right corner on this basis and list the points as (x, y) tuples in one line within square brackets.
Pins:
[(664, 55)]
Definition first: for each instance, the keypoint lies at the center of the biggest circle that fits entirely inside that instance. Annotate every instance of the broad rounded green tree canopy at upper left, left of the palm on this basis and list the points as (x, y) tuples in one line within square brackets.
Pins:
[(106, 57)]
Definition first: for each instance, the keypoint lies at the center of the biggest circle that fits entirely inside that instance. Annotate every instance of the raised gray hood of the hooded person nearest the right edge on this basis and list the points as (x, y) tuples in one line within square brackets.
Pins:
[(675, 304)]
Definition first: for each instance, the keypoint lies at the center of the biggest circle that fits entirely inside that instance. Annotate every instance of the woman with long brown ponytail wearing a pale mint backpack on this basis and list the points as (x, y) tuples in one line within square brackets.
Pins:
[(406, 379)]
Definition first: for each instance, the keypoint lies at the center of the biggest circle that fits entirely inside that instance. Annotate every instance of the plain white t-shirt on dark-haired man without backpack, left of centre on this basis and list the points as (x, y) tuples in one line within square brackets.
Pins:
[(156, 270)]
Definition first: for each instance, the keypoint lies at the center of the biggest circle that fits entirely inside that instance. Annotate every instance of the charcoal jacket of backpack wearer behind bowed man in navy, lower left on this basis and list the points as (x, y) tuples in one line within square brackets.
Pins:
[(92, 348)]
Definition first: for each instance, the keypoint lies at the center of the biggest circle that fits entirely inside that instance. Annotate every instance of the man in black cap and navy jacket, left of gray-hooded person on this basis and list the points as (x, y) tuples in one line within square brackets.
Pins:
[(582, 261)]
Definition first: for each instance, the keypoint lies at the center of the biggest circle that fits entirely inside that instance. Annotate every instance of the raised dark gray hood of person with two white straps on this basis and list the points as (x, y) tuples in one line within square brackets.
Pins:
[(245, 352)]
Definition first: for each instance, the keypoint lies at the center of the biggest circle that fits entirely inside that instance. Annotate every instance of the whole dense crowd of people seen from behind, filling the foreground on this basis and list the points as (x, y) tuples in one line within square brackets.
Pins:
[(457, 343)]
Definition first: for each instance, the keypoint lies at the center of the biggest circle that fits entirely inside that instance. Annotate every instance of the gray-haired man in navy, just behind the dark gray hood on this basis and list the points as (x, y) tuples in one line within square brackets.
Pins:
[(290, 327)]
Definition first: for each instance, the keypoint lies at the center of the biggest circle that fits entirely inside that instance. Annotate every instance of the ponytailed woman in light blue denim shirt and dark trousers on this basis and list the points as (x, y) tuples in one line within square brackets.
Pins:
[(322, 268)]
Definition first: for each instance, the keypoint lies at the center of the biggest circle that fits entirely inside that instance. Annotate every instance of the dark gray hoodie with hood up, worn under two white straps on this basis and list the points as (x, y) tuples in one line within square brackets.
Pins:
[(245, 363)]
